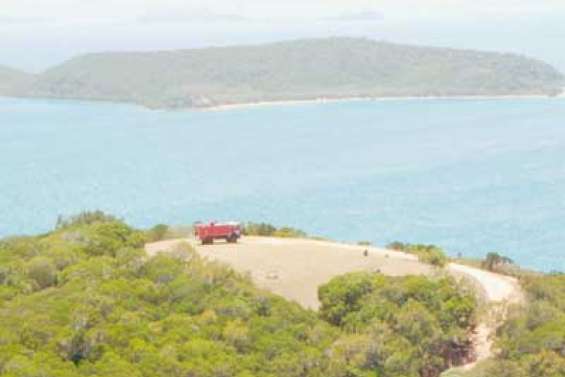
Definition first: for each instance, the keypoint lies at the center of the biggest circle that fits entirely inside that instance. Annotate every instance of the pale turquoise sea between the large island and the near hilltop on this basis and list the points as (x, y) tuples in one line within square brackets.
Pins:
[(472, 176)]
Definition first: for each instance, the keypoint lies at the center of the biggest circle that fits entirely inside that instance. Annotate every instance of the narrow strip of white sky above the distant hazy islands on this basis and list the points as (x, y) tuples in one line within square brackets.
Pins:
[(69, 10)]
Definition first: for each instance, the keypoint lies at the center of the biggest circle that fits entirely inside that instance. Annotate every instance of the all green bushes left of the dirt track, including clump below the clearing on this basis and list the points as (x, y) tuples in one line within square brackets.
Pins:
[(85, 300)]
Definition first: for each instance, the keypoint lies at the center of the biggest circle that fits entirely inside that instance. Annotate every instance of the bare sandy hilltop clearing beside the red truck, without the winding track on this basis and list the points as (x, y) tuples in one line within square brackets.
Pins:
[(295, 268)]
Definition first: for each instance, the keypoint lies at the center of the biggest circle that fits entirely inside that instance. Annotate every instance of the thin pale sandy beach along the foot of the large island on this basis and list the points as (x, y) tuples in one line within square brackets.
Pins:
[(324, 100)]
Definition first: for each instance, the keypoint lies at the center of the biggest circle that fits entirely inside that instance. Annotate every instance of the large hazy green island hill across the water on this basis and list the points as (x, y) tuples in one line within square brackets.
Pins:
[(295, 70)]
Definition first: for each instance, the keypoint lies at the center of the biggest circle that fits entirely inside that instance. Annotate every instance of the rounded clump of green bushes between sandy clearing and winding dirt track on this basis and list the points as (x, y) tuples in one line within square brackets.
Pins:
[(410, 326)]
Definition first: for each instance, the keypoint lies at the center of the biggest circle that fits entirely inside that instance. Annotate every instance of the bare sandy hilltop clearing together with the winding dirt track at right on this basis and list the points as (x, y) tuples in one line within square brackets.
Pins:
[(295, 268)]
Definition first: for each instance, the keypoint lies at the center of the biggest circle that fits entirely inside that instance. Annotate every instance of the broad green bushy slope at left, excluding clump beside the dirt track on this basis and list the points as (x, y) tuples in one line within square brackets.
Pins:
[(84, 300)]
